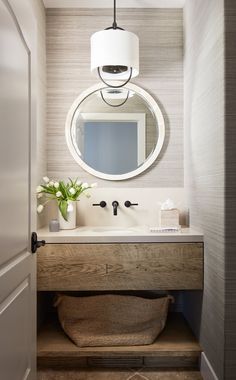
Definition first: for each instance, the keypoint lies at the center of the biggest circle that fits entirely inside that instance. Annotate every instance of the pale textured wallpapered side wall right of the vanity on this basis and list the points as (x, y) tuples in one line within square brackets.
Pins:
[(204, 165)]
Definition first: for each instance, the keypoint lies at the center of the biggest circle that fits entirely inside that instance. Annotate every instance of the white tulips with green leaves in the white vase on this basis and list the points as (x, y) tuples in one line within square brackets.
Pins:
[(63, 193)]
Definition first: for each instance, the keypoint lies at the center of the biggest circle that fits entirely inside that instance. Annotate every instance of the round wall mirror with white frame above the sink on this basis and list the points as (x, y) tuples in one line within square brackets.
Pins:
[(115, 134)]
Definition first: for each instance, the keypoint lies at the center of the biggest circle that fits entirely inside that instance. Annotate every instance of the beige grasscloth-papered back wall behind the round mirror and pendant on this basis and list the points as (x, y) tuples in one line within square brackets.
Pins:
[(161, 73)]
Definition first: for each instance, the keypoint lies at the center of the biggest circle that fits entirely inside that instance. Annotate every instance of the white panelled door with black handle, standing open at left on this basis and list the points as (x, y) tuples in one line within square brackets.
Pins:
[(17, 263)]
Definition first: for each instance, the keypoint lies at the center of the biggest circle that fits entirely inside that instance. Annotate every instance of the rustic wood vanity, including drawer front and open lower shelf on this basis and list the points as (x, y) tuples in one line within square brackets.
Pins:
[(169, 262)]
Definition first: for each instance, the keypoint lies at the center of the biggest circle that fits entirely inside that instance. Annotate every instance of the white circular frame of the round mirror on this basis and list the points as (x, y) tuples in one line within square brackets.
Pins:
[(152, 157)]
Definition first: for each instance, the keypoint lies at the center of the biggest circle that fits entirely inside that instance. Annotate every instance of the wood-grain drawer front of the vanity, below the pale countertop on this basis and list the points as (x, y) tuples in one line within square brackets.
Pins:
[(125, 266)]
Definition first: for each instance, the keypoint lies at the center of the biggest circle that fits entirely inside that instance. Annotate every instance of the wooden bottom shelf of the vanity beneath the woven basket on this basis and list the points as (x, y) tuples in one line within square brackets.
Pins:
[(175, 347)]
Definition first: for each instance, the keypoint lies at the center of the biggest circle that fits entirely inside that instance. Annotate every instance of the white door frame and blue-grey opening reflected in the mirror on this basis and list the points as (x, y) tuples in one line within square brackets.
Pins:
[(112, 143)]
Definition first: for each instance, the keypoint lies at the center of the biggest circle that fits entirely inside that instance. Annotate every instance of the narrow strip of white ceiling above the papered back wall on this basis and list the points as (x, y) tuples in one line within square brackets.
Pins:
[(109, 3)]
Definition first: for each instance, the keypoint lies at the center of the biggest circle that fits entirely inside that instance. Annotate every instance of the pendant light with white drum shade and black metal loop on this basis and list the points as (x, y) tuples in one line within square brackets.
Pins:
[(115, 54)]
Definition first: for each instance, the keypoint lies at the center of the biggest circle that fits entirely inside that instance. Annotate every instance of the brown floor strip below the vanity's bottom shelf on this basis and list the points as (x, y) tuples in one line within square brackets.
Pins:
[(108, 374)]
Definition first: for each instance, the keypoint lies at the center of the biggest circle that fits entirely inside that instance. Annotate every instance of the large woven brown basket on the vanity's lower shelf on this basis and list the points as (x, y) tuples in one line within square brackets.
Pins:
[(112, 320)]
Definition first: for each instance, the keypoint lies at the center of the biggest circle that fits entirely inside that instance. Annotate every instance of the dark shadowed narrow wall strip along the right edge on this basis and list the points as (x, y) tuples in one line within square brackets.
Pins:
[(230, 190)]
